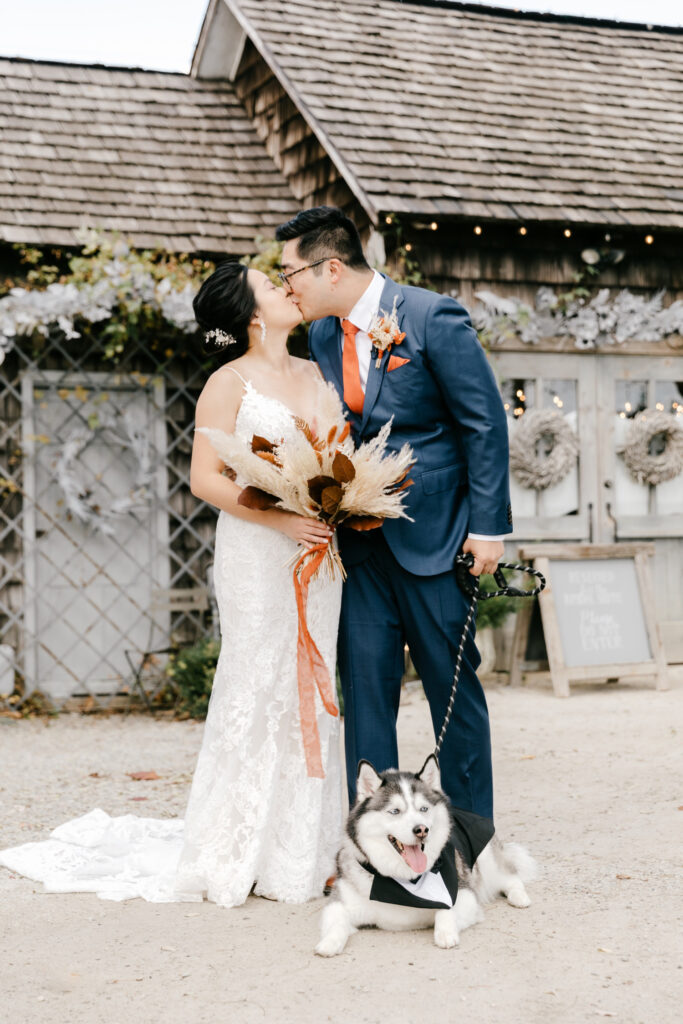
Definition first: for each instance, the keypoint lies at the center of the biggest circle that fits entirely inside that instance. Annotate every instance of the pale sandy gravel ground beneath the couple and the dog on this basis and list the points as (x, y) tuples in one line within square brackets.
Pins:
[(591, 785)]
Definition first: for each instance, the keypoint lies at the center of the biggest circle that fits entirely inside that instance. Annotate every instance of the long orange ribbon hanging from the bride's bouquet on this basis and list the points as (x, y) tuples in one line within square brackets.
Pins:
[(313, 672)]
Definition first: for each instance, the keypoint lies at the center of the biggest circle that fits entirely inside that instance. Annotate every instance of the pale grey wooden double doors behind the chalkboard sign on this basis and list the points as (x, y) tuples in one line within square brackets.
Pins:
[(600, 502)]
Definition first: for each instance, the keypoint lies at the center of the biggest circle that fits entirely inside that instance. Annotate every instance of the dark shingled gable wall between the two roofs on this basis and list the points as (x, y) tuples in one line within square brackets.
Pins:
[(290, 143)]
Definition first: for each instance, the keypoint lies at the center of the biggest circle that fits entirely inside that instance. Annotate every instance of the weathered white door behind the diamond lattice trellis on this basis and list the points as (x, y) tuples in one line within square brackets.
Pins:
[(89, 594)]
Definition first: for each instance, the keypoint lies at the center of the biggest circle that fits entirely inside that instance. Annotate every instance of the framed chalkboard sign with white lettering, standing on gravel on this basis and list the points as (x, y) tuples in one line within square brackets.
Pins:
[(597, 613)]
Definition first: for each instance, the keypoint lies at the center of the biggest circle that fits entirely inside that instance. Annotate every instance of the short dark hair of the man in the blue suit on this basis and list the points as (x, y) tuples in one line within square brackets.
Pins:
[(325, 231)]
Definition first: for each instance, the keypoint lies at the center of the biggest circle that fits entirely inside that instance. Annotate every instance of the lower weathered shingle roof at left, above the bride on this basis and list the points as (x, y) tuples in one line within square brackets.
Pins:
[(165, 159)]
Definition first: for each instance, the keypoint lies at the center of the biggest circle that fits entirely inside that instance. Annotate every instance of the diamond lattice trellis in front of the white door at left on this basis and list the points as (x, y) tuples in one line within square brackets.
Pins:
[(98, 524)]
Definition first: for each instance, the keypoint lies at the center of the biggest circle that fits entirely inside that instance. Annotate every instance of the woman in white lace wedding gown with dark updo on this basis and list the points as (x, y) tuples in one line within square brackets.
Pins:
[(255, 819)]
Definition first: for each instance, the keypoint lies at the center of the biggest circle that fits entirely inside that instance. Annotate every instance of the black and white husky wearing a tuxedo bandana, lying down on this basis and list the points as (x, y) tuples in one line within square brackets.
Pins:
[(409, 861)]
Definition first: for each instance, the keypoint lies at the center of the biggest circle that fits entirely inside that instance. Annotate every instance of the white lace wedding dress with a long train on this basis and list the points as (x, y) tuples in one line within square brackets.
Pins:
[(254, 817)]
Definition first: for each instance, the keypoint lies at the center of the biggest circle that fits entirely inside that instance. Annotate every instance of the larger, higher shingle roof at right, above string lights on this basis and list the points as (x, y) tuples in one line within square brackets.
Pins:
[(449, 110)]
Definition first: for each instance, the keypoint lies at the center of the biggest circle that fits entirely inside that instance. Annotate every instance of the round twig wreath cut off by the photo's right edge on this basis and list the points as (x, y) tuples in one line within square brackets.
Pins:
[(654, 448)]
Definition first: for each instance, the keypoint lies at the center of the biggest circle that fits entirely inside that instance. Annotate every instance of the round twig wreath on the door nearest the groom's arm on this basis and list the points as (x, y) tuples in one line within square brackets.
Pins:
[(543, 449)]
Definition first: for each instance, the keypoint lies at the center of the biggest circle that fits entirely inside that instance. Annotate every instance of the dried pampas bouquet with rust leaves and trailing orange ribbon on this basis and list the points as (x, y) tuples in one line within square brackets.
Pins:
[(320, 475)]
